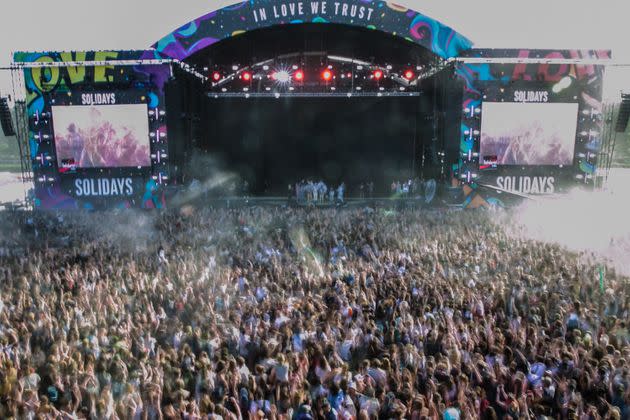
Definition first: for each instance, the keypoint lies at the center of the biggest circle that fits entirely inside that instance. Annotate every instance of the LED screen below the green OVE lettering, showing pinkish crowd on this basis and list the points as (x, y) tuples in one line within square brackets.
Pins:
[(101, 136)]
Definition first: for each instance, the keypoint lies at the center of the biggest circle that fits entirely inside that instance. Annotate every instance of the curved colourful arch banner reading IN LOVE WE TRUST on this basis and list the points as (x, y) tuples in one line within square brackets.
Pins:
[(256, 14)]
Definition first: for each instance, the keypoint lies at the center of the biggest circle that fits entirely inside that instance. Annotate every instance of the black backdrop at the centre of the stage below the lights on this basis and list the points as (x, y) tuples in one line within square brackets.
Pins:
[(273, 142)]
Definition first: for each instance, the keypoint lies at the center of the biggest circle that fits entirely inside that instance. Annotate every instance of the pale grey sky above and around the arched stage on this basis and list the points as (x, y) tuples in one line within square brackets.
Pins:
[(67, 25)]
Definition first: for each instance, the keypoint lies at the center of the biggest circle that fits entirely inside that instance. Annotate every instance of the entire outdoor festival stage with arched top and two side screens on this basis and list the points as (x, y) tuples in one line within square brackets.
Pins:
[(274, 93)]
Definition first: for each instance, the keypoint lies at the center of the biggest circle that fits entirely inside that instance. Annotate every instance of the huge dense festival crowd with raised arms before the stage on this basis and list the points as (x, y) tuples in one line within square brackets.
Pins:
[(304, 314)]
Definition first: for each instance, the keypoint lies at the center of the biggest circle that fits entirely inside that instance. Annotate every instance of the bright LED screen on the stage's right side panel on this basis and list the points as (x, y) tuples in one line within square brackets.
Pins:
[(528, 133)]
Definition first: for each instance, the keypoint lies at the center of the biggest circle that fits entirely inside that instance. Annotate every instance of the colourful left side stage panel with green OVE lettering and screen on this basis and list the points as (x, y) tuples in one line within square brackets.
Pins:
[(93, 128)]
